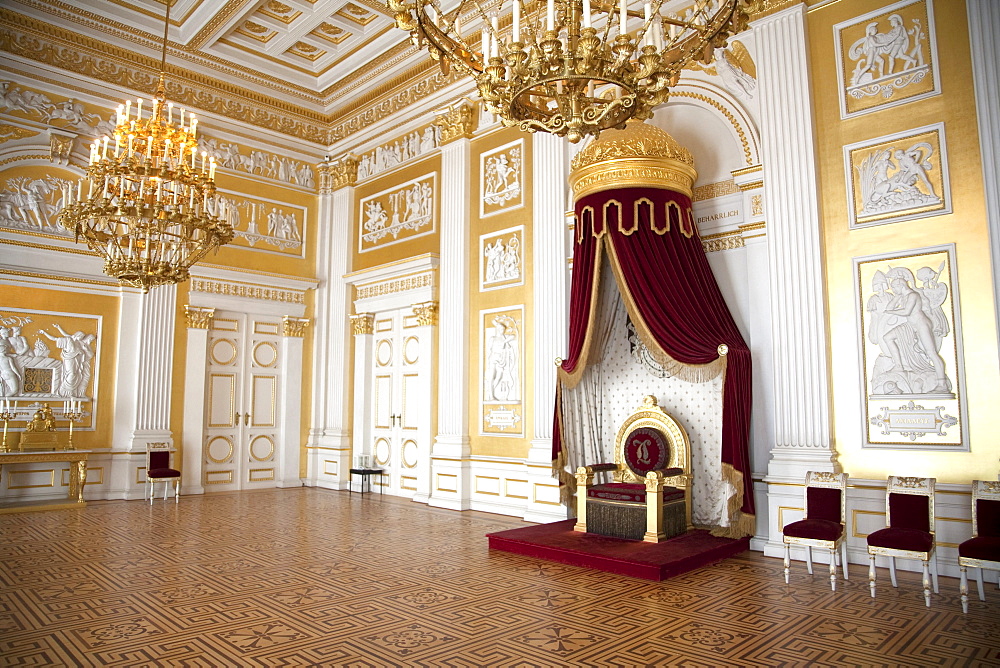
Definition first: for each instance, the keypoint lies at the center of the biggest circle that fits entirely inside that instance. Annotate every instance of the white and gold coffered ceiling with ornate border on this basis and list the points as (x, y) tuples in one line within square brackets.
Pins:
[(319, 56)]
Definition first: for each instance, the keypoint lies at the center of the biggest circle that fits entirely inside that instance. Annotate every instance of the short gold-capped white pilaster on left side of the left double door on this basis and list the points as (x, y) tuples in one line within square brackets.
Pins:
[(199, 322)]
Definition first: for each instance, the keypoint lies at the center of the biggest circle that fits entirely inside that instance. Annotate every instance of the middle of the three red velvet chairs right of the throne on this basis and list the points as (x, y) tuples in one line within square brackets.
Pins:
[(909, 512)]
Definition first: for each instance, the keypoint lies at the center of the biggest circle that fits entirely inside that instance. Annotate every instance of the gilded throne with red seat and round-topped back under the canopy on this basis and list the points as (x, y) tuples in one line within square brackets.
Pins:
[(649, 497)]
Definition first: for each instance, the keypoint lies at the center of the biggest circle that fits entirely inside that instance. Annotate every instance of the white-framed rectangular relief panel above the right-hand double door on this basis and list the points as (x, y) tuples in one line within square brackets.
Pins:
[(400, 213)]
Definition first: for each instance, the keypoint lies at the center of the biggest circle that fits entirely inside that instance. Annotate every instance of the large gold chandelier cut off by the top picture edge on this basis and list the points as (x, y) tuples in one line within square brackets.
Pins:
[(570, 67)]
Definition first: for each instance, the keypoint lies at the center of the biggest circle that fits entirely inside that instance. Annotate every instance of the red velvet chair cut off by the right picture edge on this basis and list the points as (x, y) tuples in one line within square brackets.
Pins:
[(983, 549)]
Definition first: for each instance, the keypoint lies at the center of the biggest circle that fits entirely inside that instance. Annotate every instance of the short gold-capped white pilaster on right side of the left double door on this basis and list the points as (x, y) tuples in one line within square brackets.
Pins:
[(290, 402)]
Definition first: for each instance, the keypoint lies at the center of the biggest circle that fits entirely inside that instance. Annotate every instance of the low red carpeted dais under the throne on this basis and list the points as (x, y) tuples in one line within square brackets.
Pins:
[(650, 561)]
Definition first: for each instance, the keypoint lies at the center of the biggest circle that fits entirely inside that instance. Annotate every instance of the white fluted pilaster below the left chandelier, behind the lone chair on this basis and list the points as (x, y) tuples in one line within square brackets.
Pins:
[(145, 375)]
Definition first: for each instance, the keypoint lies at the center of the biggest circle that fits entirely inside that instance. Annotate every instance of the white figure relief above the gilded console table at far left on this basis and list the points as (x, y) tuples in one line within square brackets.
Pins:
[(31, 372)]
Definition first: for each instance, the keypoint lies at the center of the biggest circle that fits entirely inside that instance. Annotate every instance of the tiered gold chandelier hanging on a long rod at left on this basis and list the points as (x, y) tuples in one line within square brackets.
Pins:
[(147, 204)]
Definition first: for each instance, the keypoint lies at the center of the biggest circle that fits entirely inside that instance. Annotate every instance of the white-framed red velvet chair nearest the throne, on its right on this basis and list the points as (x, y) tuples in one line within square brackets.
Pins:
[(824, 524)]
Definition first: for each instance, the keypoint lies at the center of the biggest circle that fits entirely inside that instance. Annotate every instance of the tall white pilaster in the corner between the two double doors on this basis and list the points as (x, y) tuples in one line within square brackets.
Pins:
[(328, 436)]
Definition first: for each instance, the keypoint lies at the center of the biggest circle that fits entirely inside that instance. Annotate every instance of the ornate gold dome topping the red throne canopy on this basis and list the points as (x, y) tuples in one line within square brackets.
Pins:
[(640, 156)]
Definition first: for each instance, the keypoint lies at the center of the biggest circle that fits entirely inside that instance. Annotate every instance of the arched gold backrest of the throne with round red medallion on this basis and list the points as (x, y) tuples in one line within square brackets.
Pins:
[(650, 439)]
